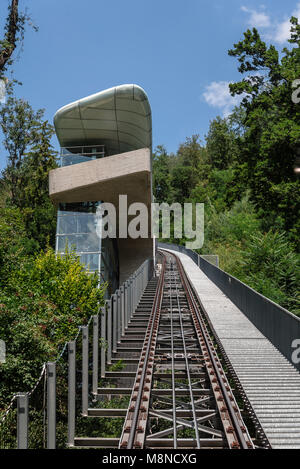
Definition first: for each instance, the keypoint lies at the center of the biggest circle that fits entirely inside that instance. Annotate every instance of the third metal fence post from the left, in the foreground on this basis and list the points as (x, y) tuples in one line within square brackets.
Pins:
[(71, 391)]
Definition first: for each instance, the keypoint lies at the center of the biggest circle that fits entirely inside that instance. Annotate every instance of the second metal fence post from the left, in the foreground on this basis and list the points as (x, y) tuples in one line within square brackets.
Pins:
[(51, 405)]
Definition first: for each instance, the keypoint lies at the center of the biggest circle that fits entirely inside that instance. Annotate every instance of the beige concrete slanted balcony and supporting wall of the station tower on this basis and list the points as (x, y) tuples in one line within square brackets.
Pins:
[(105, 179)]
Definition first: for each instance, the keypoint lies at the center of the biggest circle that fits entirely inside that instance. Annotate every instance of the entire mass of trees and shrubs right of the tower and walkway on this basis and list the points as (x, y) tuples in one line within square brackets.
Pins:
[(245, 173)]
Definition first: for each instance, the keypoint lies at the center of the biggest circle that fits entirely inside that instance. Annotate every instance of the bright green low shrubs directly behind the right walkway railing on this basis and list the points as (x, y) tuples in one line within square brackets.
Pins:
[(265, 261)]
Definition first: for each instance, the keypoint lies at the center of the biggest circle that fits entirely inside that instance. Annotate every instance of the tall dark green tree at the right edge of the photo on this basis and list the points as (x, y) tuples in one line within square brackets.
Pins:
[(272, 129)]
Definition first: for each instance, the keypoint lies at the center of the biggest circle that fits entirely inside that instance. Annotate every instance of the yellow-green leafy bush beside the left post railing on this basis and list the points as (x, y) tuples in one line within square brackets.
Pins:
[(43, 302)]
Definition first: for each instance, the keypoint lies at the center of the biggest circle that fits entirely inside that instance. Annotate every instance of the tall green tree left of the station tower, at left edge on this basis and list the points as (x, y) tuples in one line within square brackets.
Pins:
[(30, 158)]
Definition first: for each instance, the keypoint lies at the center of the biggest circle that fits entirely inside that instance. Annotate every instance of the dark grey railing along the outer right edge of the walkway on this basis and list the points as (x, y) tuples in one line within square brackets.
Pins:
[(277, 324)]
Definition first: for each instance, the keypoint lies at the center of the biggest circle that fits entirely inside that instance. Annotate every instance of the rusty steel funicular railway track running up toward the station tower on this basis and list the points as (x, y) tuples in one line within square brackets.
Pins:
[(179, 394)]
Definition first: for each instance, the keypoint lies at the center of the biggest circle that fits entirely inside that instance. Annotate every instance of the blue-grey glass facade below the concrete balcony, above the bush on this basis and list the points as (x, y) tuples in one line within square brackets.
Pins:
[(77, 230)]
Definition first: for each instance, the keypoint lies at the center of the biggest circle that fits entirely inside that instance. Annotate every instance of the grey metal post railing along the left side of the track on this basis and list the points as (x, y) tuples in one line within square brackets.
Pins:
[(48, 415)]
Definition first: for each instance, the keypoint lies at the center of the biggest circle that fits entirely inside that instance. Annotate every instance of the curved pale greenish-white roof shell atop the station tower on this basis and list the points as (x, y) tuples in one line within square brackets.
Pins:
[(119, 118)]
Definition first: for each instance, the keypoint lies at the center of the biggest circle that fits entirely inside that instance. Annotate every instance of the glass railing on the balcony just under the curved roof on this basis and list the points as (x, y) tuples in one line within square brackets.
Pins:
[(80, 154)]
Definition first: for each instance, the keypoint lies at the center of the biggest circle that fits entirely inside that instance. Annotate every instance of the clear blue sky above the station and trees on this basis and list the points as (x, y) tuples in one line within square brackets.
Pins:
[(176, 50)]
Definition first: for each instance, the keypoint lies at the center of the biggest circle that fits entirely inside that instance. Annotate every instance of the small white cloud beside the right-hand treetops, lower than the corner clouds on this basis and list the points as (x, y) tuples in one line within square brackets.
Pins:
[(217, 95)]
